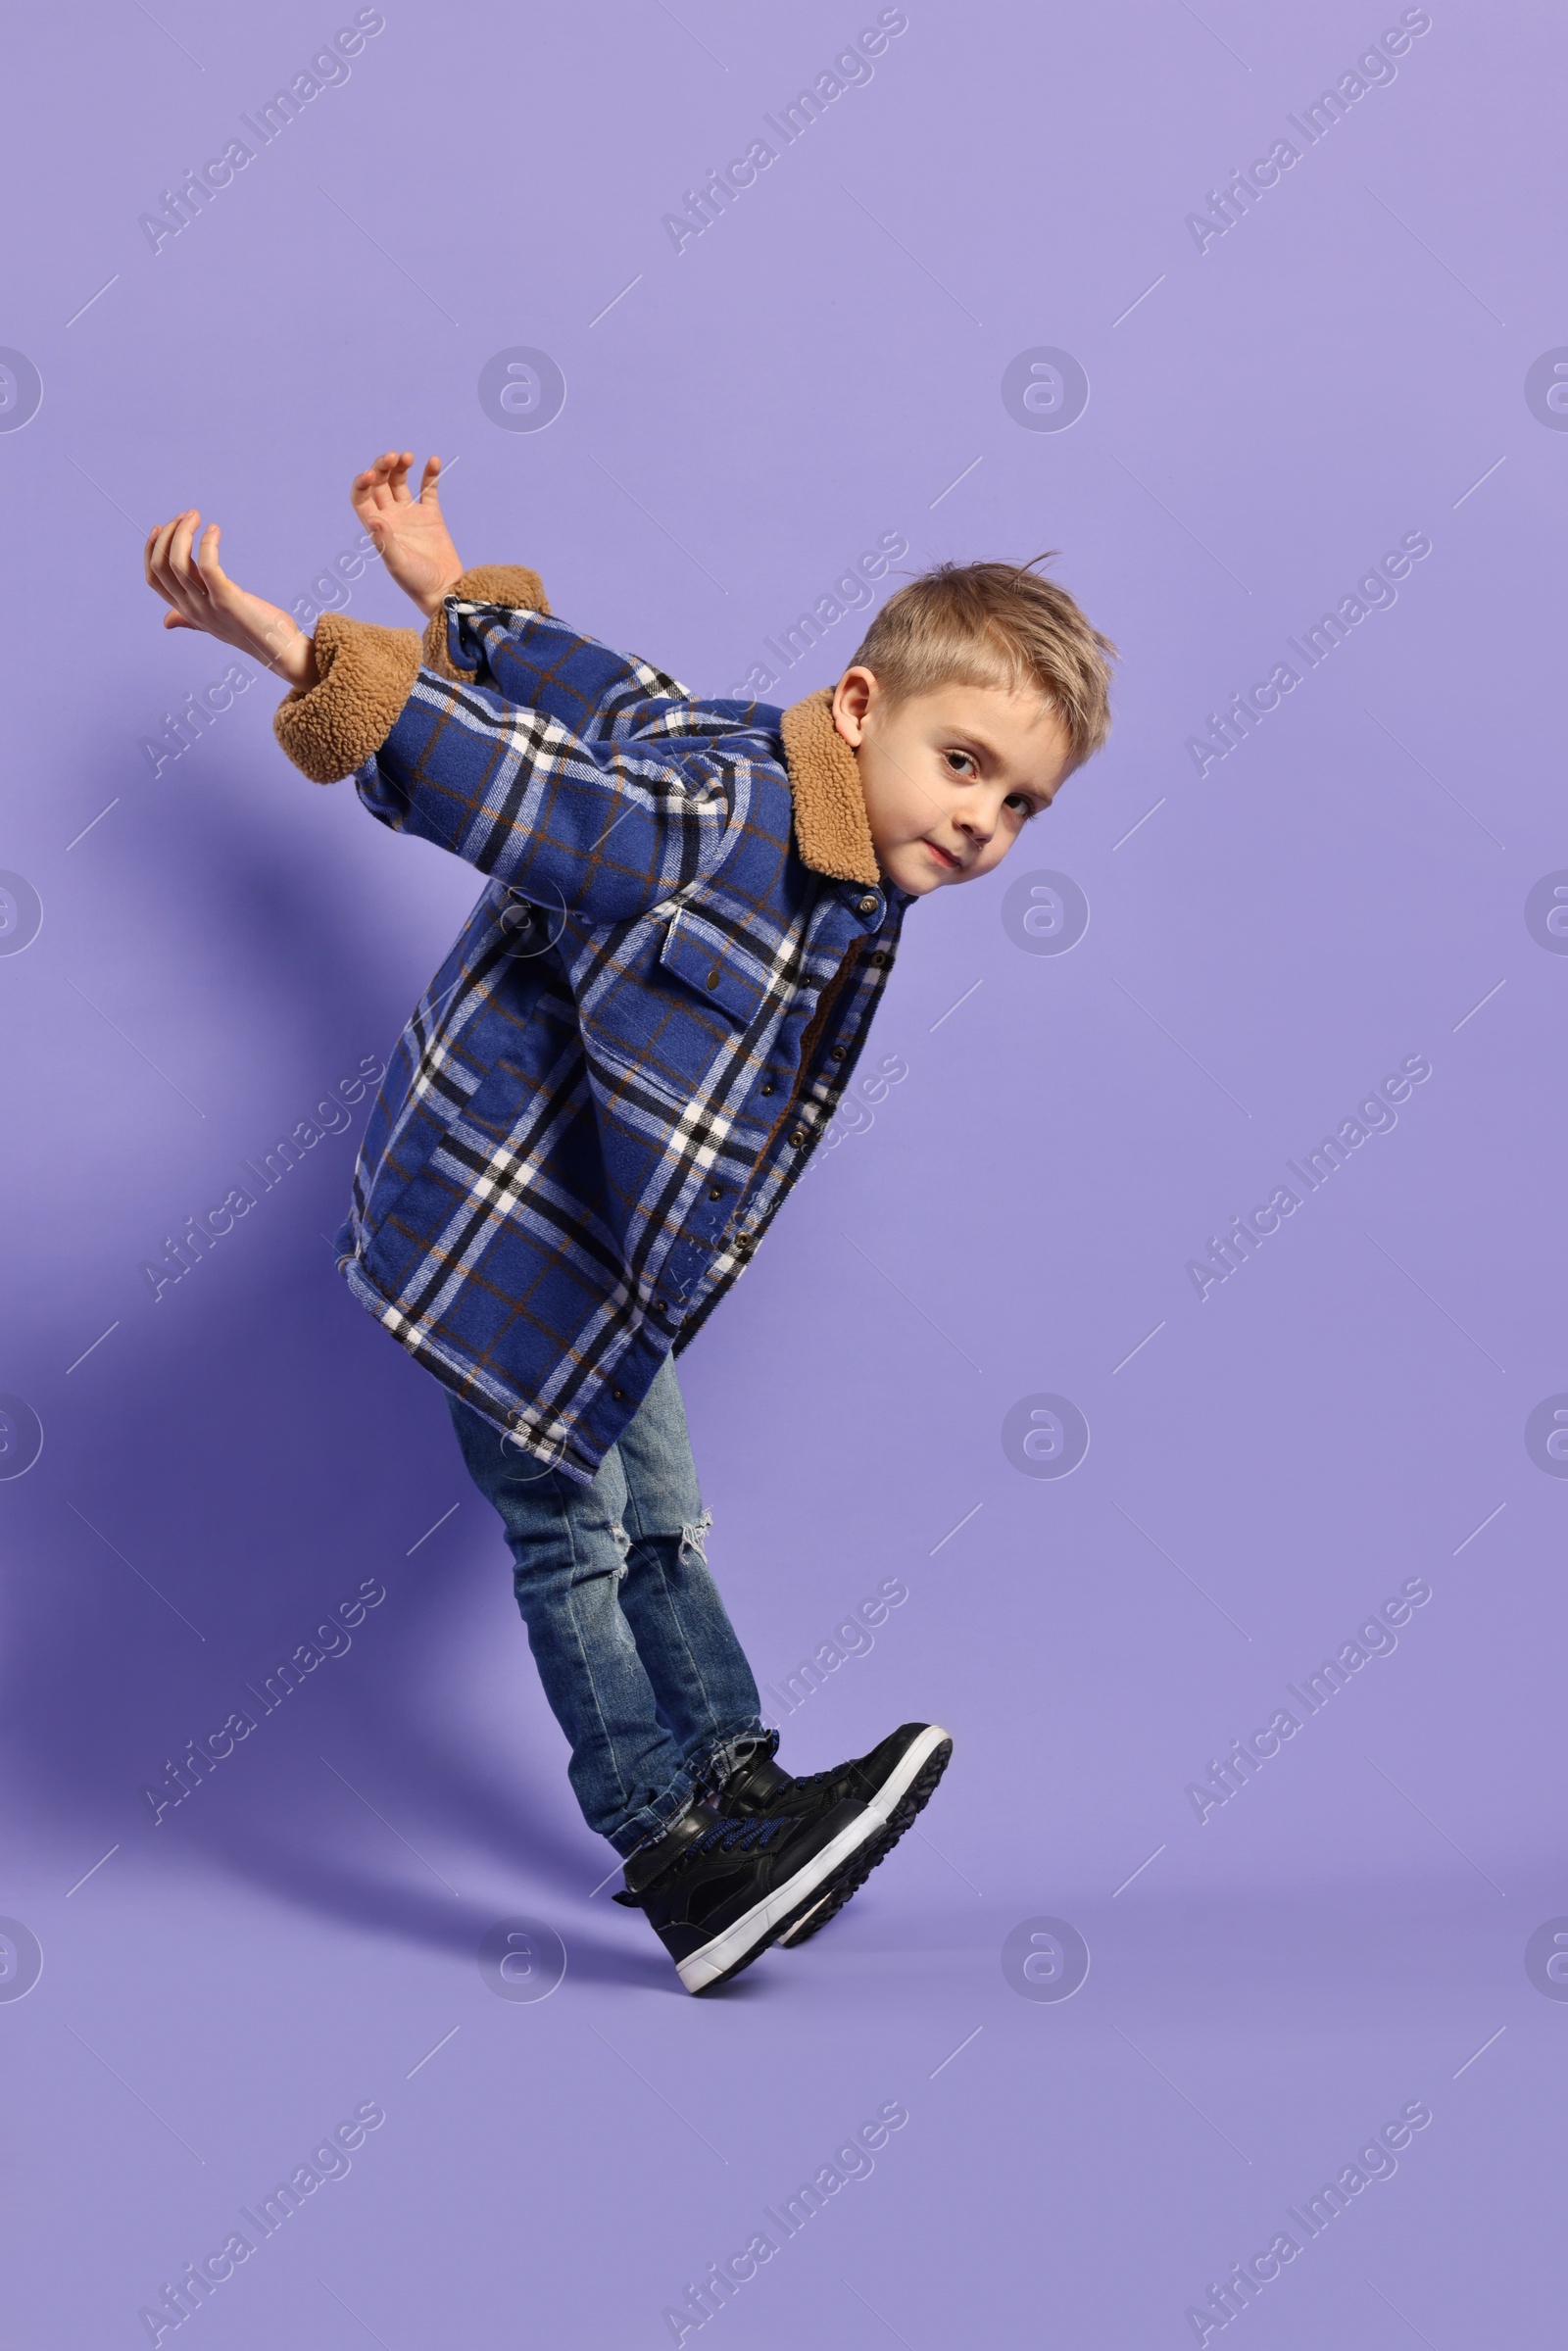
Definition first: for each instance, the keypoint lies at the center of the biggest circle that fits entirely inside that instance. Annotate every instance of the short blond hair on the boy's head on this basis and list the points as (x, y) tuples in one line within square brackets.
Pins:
[(996, 627)]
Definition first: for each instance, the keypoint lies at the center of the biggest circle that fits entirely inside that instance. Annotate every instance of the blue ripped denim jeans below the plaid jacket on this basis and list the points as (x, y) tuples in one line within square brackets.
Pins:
[(638, 1659)]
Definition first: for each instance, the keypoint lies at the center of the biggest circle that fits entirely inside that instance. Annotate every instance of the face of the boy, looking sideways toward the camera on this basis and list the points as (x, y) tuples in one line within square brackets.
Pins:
[(949, 777)]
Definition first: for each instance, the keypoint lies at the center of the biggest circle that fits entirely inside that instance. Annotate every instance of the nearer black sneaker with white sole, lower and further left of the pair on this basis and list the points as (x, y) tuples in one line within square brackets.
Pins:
[(721, 1891)]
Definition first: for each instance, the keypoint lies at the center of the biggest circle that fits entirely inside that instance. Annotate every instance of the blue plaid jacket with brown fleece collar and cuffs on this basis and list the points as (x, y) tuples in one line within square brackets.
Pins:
[(645, 1026)]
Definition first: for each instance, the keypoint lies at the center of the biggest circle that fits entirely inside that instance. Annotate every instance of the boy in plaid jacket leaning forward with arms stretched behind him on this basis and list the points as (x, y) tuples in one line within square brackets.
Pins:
[(615, 1080)]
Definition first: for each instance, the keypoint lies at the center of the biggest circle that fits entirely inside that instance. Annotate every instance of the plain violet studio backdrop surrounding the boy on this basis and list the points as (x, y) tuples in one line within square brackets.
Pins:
[(227, 942)]
